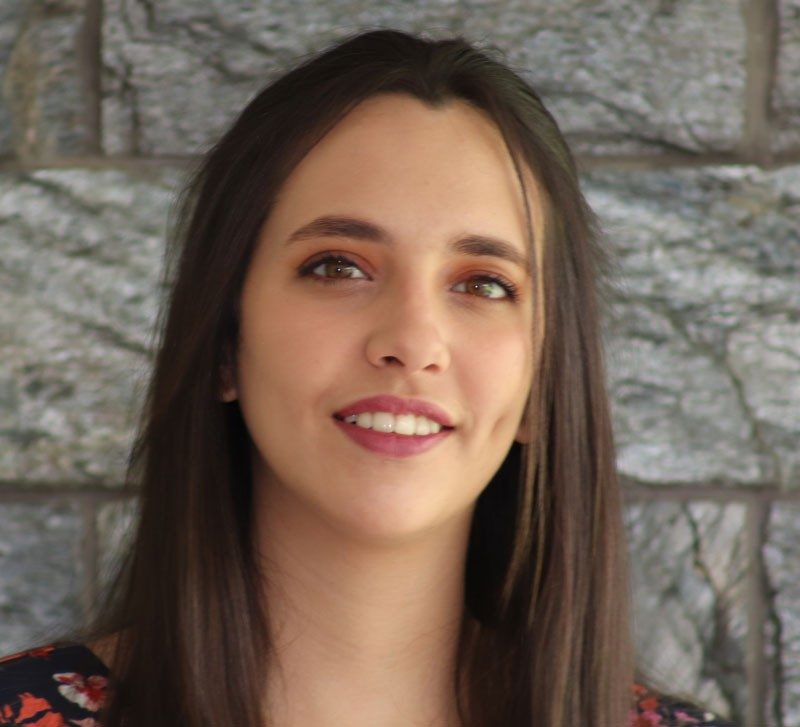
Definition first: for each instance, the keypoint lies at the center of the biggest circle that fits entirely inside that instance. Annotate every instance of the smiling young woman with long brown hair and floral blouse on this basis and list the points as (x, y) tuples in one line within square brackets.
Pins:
[(376, 465)]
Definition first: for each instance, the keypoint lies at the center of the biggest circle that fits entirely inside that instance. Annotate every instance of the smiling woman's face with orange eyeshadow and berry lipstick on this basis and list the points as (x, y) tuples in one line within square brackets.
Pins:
[(411, 304)]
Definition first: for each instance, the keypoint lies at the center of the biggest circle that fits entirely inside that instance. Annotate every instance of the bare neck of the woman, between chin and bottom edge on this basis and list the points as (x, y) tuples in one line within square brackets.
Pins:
[(363, 633)]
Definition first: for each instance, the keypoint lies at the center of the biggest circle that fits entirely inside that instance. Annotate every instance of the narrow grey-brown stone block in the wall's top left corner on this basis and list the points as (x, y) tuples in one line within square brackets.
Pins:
[(43, 110)]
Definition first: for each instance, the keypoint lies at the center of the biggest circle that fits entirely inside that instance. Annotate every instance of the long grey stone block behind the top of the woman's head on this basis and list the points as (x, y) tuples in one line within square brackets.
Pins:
[(620, 77)]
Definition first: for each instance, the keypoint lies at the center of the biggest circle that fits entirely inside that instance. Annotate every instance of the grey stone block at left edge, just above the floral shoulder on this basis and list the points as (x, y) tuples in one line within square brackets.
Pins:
[(40, 572)]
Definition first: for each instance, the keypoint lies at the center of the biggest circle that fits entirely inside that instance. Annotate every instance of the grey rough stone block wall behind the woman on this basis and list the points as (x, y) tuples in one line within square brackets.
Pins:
[(686, 118)]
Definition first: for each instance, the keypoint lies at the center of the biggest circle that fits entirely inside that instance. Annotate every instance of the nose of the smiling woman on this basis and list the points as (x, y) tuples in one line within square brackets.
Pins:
[(407, 331)]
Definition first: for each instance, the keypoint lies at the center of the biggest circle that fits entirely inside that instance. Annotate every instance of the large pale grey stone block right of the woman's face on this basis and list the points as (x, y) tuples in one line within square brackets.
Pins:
[(702, 337)]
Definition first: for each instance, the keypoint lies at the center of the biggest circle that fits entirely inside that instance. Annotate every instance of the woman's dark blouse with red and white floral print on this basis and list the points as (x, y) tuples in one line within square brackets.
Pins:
[(65, 685)]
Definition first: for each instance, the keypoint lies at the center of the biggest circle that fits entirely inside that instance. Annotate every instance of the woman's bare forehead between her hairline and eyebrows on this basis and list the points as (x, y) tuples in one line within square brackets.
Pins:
[(414, 169)]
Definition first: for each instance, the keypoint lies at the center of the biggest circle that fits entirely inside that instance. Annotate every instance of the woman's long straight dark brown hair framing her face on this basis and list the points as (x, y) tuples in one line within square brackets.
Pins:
[(545, 636)]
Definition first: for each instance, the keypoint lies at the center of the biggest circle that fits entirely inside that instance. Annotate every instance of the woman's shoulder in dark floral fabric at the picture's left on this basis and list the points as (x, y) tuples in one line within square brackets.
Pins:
[(52, 684)]
